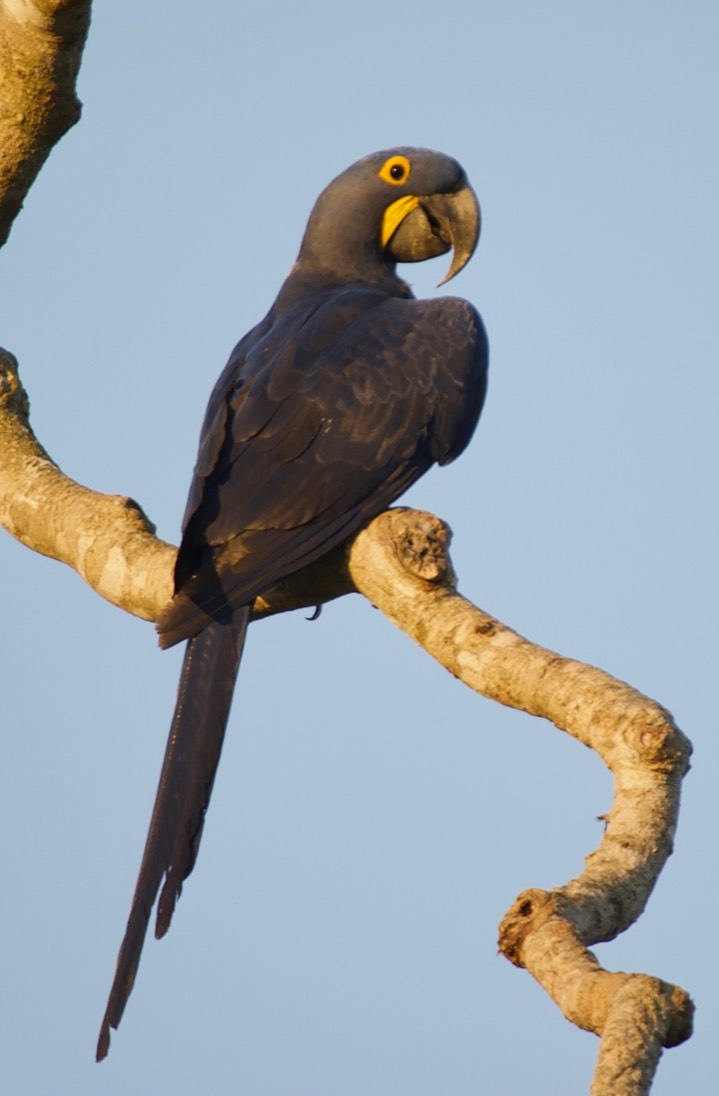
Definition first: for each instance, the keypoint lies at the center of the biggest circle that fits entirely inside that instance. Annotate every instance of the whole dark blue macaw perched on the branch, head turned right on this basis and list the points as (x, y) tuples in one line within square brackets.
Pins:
[(328, 412)]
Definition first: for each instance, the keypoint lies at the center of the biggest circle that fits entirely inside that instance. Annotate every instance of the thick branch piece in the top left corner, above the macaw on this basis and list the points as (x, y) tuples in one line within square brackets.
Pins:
[(41, 50)]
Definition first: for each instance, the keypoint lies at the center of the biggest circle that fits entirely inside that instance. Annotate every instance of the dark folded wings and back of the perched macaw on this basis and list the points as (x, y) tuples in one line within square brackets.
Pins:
[(323, 428)]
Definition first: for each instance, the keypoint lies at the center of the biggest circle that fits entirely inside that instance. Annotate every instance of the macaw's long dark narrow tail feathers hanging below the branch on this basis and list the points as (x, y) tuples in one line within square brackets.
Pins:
[(191, 757)]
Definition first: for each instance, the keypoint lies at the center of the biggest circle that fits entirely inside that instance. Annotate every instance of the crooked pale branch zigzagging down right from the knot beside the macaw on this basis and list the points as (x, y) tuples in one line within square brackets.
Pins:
[(400, 564)]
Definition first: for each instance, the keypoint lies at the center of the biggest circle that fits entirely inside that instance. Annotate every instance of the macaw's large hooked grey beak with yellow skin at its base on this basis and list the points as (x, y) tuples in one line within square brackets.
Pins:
[(437, 224)]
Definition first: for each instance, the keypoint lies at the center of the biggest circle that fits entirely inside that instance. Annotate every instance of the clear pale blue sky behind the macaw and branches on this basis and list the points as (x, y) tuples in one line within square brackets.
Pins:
[(372, 819)]
